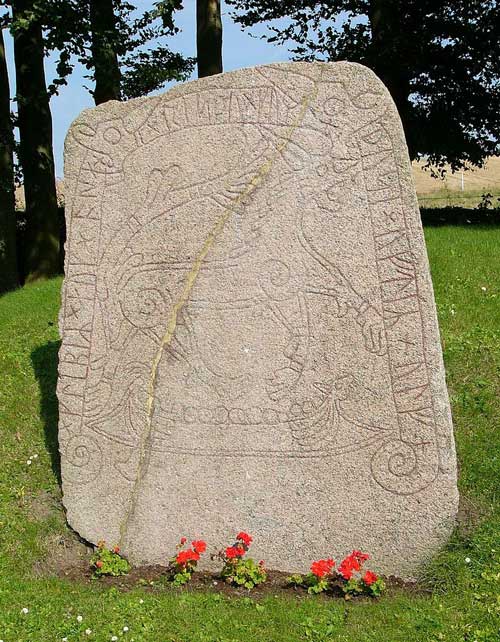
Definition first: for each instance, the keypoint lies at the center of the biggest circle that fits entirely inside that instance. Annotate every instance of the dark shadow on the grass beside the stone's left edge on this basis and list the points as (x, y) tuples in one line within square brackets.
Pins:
[(44, 360)]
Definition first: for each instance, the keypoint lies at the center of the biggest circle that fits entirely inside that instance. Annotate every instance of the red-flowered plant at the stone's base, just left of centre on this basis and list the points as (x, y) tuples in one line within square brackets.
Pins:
[(239, 571)]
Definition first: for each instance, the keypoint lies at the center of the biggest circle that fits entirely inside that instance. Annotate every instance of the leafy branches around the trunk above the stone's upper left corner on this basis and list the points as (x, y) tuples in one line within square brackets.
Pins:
[(111, 38)]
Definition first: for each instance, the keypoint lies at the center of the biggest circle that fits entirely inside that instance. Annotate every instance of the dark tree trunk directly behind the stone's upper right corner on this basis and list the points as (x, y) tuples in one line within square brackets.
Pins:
[(386, 60)]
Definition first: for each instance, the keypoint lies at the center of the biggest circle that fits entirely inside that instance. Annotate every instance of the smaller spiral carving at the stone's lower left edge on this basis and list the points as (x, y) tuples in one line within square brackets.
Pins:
[(82, 460)]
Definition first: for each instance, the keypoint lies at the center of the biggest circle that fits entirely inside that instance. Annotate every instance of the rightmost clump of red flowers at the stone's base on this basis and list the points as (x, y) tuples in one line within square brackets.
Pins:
[(348, 575)]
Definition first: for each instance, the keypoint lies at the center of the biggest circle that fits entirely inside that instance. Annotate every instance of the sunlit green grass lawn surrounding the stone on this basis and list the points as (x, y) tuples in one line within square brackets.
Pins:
[(459, 598)]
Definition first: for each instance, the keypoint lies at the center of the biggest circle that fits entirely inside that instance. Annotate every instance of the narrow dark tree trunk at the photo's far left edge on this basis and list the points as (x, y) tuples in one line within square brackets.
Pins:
[(8, 260)]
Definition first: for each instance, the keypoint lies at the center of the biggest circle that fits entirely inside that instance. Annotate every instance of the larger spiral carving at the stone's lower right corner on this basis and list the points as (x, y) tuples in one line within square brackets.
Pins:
[(403, 468)]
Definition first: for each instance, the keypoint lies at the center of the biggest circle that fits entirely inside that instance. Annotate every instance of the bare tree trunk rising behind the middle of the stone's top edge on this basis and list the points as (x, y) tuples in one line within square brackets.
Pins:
[(208, 37)]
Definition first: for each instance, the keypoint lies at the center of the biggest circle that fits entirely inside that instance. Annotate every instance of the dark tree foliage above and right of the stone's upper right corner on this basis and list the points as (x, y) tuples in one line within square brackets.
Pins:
[(440, 59)]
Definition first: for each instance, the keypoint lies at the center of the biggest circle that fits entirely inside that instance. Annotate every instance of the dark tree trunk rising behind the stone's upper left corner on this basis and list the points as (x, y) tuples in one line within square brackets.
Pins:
[(105, 59)]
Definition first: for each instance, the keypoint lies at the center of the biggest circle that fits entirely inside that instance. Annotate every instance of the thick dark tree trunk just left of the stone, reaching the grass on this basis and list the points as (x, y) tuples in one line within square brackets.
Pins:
[(37, 160)]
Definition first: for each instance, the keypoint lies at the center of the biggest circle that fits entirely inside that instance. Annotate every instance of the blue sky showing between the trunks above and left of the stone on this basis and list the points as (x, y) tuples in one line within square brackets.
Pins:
[(239, 50)]
